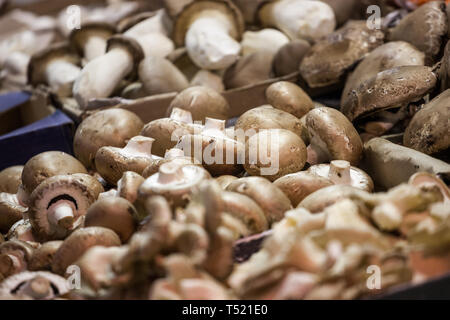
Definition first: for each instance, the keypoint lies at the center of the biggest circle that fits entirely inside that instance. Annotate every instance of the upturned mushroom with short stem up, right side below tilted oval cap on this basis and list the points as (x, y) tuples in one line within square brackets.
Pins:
[(341, 172)]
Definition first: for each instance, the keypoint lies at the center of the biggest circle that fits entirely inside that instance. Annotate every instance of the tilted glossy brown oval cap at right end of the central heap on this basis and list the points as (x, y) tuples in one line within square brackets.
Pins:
[(334, 134)]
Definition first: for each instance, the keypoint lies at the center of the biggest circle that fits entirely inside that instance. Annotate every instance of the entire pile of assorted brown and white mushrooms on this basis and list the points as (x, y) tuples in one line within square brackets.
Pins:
[(345, 166)]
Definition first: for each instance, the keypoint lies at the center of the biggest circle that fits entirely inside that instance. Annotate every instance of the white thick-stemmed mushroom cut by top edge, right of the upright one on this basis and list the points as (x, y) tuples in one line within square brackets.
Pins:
[(299, 19)]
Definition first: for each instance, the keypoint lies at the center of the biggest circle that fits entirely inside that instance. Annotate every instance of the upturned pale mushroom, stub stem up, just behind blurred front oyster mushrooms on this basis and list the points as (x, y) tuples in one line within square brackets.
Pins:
[(173, 181)]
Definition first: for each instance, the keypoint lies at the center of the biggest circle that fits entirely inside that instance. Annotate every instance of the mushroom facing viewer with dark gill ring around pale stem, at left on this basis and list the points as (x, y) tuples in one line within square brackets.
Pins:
[(59, 203)]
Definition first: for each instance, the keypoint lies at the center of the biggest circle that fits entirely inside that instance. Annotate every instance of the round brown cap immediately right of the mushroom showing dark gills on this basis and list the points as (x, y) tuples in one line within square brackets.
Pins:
[(114, 213)]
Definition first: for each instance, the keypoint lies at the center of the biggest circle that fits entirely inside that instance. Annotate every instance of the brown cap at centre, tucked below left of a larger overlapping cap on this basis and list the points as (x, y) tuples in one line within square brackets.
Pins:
[(246, 210)]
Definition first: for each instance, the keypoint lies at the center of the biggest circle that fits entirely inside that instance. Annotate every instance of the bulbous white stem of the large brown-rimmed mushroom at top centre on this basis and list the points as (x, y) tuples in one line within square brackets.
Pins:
[(209, 43)]
